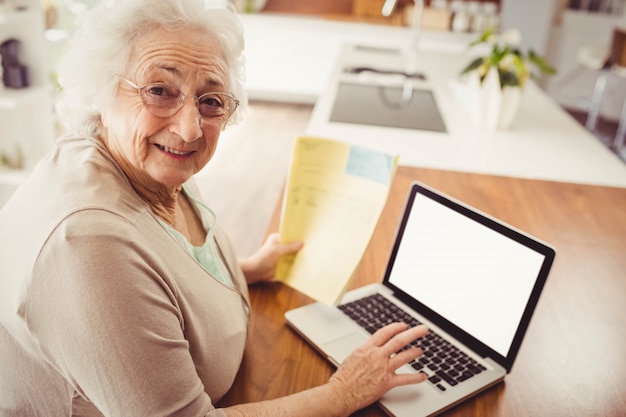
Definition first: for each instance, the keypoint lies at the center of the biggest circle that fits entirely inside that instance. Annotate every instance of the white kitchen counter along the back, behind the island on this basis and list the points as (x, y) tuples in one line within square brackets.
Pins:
[(291, 58)]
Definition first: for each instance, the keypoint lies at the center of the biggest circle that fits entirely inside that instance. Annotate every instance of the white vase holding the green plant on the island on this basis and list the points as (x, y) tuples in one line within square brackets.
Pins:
[(492, 107)]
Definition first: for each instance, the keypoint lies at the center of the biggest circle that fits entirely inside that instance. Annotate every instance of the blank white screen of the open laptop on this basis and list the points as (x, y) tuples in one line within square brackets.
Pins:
[(473, 276)]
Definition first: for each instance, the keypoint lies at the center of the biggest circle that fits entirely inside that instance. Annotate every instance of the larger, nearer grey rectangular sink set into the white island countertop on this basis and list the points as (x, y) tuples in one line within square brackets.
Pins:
[(400, 106)]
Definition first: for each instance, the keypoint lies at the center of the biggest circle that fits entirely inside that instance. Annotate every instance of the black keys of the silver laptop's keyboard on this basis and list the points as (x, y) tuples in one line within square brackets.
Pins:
[(445, 365)]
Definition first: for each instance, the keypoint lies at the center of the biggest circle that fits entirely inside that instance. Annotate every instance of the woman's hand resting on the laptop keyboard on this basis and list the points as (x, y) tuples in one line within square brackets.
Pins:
[(370, 371)]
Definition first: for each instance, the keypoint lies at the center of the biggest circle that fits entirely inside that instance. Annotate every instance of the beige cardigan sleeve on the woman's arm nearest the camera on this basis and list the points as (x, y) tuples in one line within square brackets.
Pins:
[(104, 316)]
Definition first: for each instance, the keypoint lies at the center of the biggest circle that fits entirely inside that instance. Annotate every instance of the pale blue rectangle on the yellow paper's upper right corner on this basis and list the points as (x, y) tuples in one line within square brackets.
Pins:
[(370, 164)]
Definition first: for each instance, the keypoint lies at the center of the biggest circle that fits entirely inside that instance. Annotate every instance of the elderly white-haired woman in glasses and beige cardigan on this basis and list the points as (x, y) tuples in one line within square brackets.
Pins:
[(120, 295)]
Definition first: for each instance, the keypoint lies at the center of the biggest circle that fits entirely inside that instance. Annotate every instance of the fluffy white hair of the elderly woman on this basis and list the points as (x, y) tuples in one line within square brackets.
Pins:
[(105, 37)]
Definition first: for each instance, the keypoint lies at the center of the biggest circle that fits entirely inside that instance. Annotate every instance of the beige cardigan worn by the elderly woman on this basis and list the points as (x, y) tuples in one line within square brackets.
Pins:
[(102, 311)]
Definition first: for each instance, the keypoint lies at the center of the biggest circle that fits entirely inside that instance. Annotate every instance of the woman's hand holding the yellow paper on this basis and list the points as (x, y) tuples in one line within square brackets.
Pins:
[(261, 266)]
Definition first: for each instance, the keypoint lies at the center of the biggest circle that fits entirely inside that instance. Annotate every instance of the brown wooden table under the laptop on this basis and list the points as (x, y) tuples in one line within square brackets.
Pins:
[(573, 359)]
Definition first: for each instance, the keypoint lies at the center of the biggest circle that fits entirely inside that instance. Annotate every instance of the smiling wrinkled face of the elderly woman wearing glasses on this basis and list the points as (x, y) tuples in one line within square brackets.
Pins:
[(166, 151)]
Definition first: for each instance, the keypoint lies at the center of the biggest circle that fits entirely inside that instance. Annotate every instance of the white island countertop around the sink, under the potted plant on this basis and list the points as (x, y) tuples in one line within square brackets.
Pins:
[(544, 142)]
